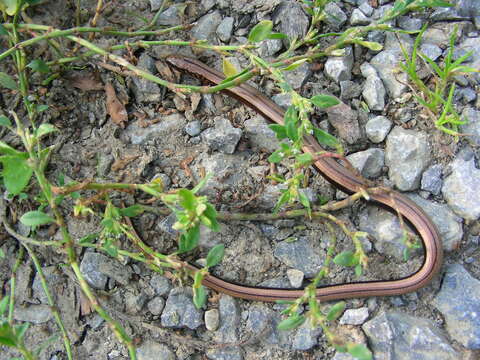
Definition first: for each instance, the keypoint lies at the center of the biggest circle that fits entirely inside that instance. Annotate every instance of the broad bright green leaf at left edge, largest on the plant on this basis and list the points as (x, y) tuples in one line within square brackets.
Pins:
[(16, 173)]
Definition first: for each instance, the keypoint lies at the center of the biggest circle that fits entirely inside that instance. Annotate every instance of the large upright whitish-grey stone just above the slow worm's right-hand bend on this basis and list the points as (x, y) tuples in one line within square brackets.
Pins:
[(407, 154)]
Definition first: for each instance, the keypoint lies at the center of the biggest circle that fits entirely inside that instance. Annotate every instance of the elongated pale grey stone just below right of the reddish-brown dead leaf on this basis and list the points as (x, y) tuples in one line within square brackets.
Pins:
[(170, 124)]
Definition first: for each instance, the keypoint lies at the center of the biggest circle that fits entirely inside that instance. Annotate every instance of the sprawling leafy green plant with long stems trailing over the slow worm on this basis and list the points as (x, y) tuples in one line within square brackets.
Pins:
[(25, 170)]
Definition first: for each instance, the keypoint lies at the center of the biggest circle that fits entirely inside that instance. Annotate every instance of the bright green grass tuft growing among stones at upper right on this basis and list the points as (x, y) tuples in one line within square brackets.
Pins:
[(437, 99)]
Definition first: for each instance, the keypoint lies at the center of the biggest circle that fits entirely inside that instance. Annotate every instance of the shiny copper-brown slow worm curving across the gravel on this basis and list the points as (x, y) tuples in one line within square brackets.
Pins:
[(347, 181)]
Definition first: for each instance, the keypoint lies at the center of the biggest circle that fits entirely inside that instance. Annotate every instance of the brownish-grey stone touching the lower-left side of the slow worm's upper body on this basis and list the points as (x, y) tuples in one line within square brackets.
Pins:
[(260, 135)]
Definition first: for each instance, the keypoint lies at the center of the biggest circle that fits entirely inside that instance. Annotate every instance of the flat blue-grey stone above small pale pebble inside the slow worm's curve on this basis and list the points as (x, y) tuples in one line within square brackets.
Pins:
[(299, 255)]
